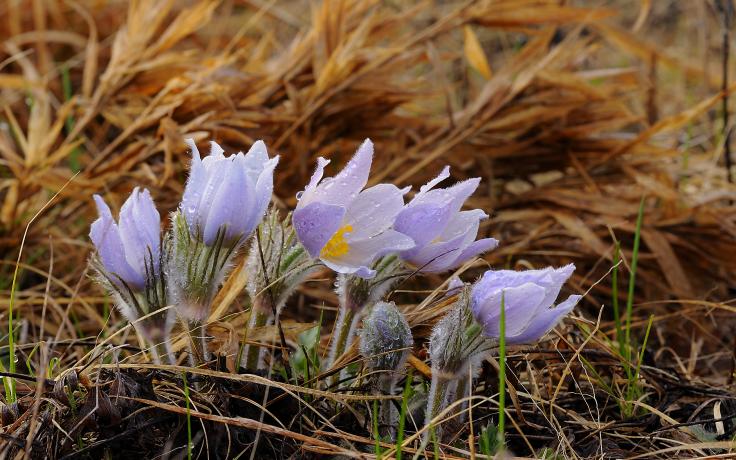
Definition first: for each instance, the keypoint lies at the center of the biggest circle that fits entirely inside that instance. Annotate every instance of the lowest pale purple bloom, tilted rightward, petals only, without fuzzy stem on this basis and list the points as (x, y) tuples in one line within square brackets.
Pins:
[(528, 298)]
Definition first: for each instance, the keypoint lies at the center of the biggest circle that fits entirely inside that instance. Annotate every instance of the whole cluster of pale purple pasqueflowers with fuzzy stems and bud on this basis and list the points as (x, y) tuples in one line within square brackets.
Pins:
[(369, 236)]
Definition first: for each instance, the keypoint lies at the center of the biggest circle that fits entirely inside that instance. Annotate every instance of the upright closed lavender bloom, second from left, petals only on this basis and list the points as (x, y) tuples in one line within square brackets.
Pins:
[(229, 193)]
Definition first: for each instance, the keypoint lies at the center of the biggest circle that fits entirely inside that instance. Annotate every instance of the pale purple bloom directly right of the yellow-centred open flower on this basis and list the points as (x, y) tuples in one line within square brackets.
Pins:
[(444, 236)]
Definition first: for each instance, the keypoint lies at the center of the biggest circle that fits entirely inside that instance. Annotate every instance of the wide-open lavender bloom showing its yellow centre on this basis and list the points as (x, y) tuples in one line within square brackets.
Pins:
[(345, 226)]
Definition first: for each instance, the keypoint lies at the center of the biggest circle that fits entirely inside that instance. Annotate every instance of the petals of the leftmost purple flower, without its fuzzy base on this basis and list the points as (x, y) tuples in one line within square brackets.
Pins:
[(129, 250)]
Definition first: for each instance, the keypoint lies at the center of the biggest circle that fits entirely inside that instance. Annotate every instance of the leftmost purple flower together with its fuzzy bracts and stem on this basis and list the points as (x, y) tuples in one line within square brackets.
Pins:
[(129, 259)]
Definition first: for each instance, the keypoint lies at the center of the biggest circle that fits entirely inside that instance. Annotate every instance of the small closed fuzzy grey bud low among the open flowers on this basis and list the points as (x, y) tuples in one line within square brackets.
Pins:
[(385, 338)]
